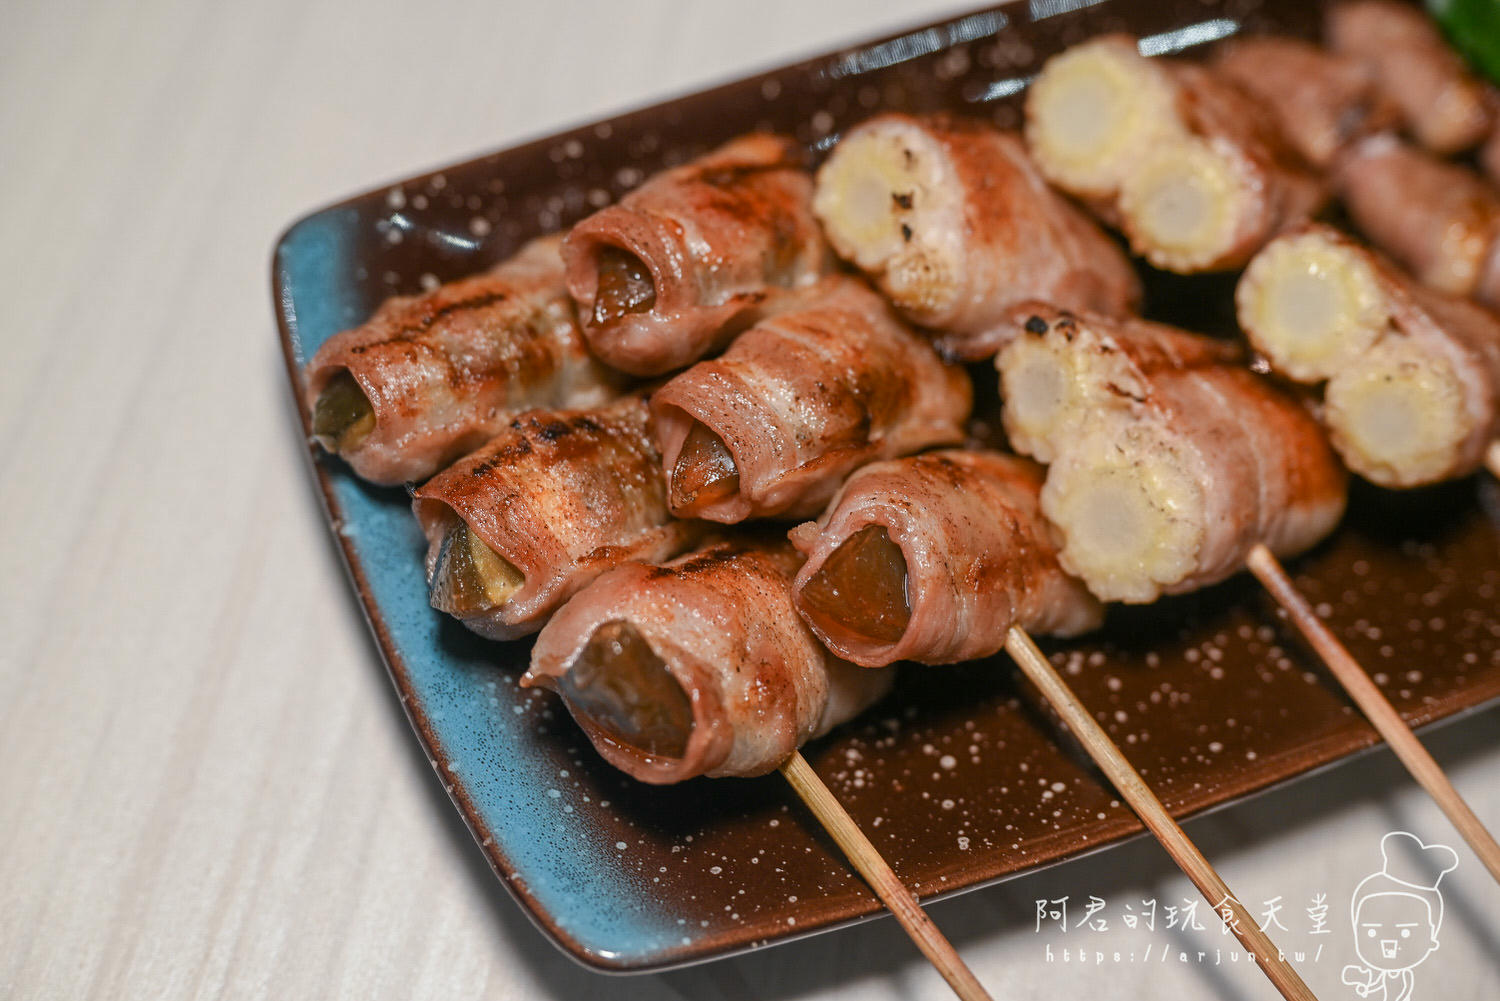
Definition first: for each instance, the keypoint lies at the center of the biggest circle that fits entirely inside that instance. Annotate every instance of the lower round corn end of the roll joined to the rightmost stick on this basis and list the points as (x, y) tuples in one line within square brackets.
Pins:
[(1130, 516)]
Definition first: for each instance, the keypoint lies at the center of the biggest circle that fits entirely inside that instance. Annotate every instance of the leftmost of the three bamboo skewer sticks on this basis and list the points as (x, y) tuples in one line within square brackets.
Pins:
[(865, 856)]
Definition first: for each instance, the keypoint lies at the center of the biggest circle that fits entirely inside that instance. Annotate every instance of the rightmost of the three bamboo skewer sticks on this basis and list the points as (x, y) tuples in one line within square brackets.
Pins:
[(1376, 708)]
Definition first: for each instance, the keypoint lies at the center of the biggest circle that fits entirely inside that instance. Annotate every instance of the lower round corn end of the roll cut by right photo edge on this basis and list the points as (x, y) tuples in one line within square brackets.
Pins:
[(1399, 416)]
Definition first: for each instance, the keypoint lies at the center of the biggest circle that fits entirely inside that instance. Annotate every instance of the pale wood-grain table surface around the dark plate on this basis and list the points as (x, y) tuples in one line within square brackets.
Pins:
[(206, 784)]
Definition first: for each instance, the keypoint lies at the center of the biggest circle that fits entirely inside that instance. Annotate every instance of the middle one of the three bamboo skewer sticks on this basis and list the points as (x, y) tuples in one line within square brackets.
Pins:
[(1135, 790)]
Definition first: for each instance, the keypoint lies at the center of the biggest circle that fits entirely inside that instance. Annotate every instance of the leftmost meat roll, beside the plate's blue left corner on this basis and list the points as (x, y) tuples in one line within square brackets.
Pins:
[(431, 377)]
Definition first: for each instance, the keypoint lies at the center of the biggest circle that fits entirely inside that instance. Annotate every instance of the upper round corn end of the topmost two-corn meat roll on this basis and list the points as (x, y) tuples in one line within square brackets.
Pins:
[(1094, 112)]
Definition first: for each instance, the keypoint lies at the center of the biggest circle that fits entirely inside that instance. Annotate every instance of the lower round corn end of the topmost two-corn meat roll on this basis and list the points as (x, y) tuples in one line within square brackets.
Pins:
[(1183, 205)]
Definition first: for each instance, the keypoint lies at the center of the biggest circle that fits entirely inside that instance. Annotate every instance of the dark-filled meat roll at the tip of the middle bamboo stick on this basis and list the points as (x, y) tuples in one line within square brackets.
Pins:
[(934, 559)]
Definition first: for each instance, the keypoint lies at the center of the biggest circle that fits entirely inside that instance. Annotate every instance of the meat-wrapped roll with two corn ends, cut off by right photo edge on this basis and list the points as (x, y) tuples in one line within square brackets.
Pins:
[(1414, 376)]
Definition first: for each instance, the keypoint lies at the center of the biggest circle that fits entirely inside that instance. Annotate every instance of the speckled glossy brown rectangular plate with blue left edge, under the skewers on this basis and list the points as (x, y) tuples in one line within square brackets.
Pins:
[(959, 778)]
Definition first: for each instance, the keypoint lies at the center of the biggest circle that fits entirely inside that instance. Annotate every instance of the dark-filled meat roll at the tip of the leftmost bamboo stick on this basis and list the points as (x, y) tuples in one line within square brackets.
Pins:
[(700, 667)]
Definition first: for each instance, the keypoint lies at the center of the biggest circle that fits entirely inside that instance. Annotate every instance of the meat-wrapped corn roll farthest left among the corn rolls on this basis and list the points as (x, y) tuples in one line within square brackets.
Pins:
[(955, 224)]
